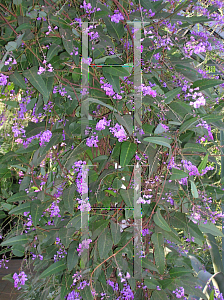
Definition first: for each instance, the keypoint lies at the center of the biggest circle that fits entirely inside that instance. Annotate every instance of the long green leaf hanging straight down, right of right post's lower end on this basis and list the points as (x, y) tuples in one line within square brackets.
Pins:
[(157, 239)]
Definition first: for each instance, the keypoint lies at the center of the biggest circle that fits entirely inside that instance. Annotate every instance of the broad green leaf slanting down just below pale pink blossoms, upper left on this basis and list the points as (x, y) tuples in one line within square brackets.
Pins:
[(37, 81)]
